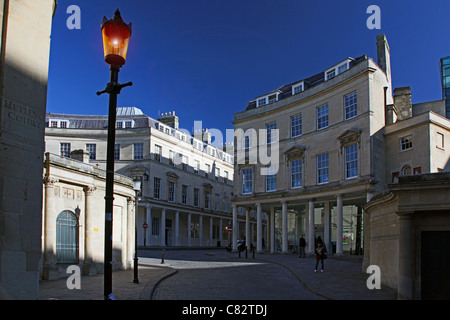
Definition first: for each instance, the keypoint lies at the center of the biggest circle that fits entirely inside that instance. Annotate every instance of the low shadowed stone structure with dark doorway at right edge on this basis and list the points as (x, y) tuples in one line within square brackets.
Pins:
[(399, 220)]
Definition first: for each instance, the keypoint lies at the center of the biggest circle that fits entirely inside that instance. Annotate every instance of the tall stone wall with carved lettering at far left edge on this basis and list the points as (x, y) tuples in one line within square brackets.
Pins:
[(25, 44)]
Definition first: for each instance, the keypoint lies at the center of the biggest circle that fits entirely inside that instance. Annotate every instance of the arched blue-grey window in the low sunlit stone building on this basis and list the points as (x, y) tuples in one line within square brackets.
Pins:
[(66, 237)]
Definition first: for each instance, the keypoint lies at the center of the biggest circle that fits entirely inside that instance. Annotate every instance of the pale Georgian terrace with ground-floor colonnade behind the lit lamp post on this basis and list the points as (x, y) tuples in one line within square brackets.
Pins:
[(187, 183)]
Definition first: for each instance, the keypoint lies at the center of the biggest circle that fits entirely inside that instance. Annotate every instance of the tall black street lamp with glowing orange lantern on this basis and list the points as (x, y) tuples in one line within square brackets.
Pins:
[(116, 37)]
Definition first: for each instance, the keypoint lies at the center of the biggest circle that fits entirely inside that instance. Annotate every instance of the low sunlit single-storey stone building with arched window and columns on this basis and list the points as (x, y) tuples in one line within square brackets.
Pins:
[(74, 217)]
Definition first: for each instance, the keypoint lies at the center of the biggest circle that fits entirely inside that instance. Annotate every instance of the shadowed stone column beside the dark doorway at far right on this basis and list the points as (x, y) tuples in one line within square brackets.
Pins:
[(405, 258)]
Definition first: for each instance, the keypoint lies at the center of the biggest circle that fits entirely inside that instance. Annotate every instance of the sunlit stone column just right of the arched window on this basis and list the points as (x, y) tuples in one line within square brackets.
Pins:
[(89, 237)]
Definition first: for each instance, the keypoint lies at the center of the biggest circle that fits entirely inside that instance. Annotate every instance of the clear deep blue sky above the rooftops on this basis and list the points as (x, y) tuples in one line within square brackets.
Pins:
[(206, 59)]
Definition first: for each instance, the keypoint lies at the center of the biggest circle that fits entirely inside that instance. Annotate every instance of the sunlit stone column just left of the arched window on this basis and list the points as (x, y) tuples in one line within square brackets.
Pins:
[(50, 271)]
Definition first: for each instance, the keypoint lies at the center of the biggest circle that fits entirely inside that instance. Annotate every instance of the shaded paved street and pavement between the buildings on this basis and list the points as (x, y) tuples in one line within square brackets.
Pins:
[(219, 275)]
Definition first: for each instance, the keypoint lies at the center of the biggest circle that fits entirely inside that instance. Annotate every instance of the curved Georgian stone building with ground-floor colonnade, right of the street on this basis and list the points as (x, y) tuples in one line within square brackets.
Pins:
[(335, 140)]
